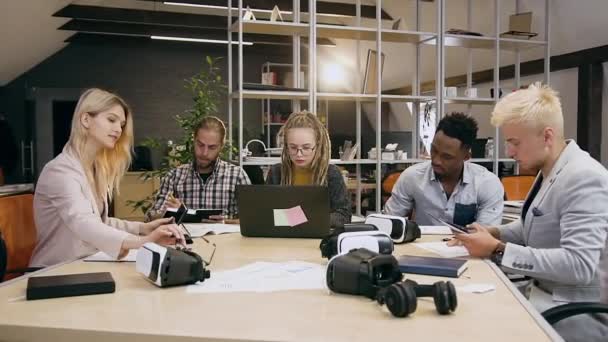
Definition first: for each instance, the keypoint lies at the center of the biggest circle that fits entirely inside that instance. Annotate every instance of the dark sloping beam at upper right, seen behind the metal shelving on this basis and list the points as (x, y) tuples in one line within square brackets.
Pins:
[(560, 62)]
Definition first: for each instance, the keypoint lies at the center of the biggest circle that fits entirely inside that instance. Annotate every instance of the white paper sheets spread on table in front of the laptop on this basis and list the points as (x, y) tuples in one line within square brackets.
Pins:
[(264, 277)]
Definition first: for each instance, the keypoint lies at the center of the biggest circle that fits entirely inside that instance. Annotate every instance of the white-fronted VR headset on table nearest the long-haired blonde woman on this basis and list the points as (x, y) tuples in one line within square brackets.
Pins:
[(166, 266)]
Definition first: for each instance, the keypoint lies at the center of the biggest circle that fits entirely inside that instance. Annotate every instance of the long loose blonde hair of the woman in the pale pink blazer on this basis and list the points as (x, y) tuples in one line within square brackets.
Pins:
[(110, 164)]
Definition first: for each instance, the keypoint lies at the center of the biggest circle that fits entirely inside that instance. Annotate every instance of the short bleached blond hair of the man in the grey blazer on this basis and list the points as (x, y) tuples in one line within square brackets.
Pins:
[(537, 106)]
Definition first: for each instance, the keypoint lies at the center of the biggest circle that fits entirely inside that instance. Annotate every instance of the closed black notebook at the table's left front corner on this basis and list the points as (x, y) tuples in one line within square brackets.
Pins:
[(69, 285)]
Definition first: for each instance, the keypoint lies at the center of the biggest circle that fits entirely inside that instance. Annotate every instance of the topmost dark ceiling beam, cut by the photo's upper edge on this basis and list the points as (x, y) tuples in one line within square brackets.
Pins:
[(323, 7)]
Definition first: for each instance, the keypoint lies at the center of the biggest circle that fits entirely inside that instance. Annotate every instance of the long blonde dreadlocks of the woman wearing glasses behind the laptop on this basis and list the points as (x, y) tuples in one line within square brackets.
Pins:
[(320, 161)]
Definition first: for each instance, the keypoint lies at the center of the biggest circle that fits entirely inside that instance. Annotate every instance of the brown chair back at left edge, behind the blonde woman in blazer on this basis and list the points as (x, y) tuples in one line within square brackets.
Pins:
[(17, 235)]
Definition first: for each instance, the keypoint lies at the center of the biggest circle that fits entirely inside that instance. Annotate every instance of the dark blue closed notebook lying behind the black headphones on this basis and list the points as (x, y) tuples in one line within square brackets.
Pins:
[(441, 267)]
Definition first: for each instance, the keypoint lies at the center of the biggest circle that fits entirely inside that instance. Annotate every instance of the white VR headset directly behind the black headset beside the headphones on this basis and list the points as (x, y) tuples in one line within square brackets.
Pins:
[(375, 241)]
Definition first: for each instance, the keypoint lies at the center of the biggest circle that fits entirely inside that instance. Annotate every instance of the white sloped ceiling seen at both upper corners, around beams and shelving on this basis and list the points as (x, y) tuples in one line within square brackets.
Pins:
[(28, 32)]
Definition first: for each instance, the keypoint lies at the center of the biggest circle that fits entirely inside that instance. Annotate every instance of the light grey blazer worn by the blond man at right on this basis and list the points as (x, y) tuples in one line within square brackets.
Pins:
[(563, 237)]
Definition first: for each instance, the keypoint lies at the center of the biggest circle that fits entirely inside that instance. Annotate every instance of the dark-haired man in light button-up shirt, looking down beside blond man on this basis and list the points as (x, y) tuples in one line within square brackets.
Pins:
[(449, 187)]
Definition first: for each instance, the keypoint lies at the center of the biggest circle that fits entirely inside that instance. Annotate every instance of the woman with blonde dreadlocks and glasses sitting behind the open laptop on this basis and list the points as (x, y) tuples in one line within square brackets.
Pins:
[(305, 161)]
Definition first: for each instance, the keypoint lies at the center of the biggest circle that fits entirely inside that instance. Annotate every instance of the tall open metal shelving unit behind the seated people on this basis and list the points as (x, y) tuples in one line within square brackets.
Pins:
[(380, 36)]
